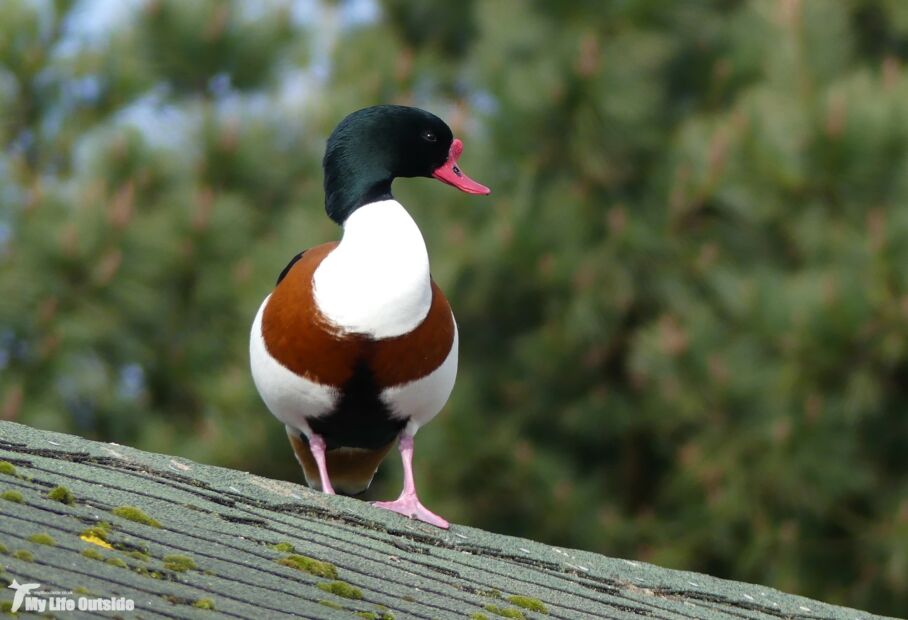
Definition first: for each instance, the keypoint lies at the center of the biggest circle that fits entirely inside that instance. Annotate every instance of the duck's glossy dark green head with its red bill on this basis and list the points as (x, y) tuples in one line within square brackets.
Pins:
[(373, 146)]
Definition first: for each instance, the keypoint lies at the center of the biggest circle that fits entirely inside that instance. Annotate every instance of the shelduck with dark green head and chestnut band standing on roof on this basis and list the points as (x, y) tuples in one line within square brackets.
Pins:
[(356, 346)]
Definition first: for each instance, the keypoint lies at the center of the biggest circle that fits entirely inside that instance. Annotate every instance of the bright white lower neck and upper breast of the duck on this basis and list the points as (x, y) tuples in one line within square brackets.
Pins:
[(376, 281)]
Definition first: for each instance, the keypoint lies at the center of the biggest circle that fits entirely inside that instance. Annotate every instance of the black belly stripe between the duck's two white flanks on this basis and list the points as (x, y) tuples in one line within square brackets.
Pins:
[(360, 419)]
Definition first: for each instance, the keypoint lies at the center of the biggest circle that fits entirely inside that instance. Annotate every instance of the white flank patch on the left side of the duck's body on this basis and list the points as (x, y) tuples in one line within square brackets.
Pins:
[(290, 398)]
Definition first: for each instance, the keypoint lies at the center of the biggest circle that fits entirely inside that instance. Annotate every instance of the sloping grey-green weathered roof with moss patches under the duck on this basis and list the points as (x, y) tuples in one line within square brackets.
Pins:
[(229, 522)]
